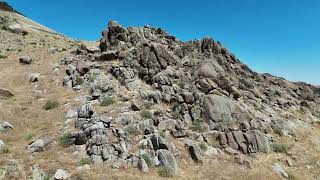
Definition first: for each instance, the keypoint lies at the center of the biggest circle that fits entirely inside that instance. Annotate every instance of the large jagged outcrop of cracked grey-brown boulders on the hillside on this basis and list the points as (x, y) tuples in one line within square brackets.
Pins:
[(204, 92)]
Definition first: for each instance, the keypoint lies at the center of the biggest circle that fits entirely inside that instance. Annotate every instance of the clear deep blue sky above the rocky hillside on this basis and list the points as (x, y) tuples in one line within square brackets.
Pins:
[(281, 37)]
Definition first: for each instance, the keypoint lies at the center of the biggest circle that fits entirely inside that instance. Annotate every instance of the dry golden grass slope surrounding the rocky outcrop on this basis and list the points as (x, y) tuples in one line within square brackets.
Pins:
[(31, 122)]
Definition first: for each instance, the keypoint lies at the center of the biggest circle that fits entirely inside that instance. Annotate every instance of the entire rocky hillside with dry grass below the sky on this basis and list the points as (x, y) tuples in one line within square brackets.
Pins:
[(140, 98)]
